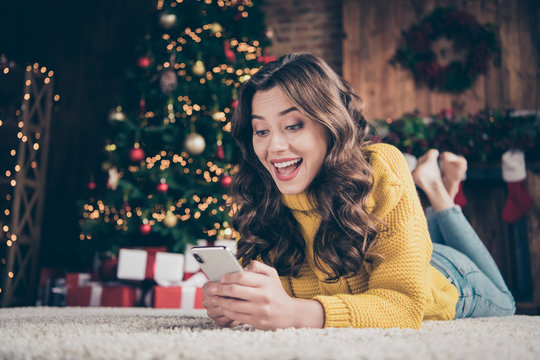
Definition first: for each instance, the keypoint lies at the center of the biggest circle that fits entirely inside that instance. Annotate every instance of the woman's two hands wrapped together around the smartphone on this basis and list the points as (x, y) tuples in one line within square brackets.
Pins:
[(256, 297)]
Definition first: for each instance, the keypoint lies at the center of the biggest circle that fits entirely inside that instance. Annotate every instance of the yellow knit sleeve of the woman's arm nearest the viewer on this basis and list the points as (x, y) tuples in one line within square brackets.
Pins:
[(396, 290)]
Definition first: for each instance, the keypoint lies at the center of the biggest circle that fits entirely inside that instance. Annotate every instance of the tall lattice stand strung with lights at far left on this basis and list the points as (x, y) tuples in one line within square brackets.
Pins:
[(18, 281)]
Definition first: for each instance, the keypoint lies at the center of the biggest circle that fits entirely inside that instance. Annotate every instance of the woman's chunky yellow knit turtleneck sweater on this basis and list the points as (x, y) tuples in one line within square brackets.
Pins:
[(398, 287)]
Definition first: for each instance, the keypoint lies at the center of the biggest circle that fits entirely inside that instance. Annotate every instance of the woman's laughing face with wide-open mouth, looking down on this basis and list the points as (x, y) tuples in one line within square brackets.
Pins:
[(289, 145)]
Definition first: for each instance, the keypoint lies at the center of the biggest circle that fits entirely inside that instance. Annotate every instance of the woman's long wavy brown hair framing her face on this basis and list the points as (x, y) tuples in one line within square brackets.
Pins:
[(266, 226)]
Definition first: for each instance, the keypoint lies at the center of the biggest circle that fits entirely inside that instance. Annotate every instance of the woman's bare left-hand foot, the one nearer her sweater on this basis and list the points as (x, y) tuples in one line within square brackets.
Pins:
[(427, 176)]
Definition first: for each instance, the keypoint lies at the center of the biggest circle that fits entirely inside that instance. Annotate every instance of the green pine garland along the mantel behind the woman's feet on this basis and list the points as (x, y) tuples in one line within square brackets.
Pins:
[(482, 137)]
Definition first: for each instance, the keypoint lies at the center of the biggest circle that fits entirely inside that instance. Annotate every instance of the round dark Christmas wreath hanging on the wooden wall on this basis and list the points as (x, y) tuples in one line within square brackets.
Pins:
[(451, 69)]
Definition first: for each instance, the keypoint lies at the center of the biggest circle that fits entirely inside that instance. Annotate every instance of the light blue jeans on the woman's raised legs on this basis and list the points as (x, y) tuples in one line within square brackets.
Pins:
[(461, 256)]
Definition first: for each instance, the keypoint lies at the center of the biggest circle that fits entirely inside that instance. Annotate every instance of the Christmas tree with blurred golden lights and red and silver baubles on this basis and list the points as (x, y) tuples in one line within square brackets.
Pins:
[(170, 156)]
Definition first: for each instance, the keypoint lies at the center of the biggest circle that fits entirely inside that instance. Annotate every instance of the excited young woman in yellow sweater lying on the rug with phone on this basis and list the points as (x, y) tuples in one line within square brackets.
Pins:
[(332, 230)]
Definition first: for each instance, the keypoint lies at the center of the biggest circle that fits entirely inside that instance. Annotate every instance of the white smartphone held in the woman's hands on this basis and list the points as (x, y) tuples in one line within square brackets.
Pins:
[(216, 261)]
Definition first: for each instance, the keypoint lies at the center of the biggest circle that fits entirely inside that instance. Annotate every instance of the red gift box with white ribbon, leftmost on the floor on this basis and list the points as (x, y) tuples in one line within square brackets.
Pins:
[(96, 294)]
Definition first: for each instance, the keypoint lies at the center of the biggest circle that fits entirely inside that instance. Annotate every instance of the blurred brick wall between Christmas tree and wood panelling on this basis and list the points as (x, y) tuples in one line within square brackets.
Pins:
[(313, 26)]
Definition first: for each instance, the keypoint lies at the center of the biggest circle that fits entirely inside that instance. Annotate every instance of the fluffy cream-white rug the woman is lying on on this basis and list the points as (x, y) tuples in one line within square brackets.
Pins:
[(142, 333)]
